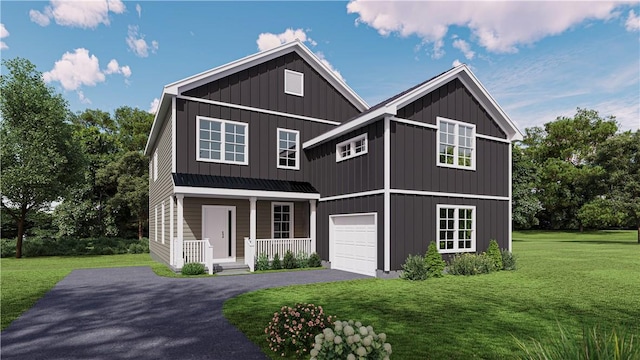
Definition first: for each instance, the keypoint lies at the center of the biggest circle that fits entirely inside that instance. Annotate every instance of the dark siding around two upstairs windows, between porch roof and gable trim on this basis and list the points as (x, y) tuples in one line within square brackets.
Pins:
[(262, 142)]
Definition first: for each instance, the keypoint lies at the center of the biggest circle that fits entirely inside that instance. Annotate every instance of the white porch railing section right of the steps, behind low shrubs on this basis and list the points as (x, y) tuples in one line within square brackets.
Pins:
[(255, 247)]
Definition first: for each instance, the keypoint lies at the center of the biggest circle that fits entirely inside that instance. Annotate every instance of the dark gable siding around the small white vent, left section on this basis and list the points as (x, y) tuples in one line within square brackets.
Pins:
[(262, 86)]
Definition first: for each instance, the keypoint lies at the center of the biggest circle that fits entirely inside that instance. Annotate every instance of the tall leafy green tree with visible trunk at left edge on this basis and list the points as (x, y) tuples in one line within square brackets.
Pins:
[(40, 159)]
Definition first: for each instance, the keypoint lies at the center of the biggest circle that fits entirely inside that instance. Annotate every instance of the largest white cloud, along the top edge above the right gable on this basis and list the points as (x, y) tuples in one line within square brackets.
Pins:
[(499, 27)]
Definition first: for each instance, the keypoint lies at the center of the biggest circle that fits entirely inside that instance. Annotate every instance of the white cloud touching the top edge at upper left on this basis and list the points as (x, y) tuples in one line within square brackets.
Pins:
[(82, 14)]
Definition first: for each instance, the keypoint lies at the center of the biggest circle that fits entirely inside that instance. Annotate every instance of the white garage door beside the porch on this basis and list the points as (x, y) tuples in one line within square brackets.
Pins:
[(352, 243)]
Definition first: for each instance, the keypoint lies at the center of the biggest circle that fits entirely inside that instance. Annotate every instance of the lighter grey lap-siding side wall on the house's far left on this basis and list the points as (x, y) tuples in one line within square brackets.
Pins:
[(161, 190)]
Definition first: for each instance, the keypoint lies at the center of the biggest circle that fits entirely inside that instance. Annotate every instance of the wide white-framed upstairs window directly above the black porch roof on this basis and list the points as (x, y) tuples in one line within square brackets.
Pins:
[(222, 141)]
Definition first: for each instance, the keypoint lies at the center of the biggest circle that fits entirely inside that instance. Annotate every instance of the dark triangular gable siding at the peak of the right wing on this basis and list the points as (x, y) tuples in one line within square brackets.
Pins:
[(452, 101)]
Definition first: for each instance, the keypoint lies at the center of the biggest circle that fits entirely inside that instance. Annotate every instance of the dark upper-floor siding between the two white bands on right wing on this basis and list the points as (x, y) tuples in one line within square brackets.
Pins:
[(413, 164)]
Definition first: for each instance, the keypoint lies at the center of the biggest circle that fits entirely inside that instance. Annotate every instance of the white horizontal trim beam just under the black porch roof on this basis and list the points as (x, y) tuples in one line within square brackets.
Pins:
[(242, 193)]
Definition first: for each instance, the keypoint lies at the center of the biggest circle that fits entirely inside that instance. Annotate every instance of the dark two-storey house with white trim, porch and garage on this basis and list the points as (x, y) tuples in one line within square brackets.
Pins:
[(274, 152)]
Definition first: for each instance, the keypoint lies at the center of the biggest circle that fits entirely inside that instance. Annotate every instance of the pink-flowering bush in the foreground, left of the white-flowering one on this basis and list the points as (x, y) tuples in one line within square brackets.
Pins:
[(292, 330)]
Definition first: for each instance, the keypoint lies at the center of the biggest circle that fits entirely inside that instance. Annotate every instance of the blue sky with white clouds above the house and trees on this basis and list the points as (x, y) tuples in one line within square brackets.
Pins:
[(539, 60)]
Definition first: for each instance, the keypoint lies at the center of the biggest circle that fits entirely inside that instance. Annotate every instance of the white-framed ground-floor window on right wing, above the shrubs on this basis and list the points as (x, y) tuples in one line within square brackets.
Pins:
[(456, 228)]
